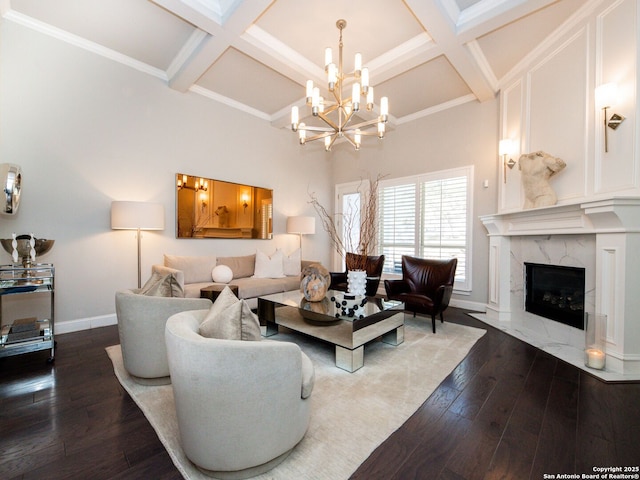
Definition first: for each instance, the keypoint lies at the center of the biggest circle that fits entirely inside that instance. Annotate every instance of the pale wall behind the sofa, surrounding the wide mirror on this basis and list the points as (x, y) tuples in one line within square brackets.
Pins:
[(87, 130)]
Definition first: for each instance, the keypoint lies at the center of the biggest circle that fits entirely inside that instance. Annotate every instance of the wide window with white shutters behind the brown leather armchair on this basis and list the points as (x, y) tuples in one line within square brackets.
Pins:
[(428, 216)]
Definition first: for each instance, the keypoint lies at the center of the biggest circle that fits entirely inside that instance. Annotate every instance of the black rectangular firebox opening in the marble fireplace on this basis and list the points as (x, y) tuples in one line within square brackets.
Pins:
[(555, 292)]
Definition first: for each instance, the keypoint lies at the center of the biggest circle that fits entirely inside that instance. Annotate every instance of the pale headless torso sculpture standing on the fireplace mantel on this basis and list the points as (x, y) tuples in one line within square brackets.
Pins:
[(537, 168)]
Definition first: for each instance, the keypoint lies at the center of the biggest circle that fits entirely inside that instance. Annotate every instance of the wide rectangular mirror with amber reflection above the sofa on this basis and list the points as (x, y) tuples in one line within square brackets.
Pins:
[(208, 208)]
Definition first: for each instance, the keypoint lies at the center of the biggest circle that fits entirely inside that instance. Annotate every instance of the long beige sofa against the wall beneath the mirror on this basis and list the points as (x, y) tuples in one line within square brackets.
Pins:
[(194, 273)]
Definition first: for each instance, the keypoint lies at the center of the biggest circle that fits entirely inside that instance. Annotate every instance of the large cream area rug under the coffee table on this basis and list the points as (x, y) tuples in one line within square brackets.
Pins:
[(352, 413)]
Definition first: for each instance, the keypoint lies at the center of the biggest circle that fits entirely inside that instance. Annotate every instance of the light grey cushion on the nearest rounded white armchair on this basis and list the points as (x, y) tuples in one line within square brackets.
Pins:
[(230, 319)]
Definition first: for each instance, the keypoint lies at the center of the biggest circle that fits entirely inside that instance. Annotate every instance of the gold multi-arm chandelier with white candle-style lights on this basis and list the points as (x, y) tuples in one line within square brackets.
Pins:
[(337, 114)]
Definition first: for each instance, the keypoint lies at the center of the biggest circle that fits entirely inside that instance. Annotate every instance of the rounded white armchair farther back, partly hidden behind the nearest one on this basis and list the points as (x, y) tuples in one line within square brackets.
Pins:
[(141, 322)]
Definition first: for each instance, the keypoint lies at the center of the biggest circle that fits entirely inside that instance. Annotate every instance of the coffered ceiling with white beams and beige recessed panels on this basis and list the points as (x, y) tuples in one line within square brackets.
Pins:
[(256, 55)]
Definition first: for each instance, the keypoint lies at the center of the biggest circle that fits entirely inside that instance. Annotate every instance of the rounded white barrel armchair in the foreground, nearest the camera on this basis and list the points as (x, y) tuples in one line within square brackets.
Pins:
[(241, 405)]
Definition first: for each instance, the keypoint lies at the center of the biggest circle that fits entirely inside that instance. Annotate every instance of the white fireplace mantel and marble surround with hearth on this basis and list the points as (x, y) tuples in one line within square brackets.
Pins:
[(602, 236)]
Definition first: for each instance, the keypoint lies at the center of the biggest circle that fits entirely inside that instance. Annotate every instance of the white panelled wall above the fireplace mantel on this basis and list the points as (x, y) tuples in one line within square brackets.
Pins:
[(550, 106)]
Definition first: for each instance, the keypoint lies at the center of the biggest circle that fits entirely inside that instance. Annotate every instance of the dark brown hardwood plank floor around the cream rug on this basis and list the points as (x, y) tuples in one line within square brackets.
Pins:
[(507, 411)]
